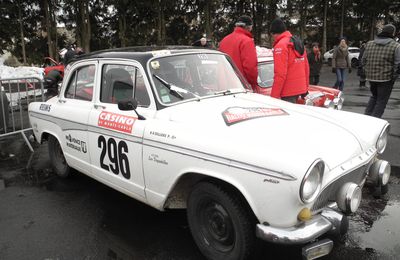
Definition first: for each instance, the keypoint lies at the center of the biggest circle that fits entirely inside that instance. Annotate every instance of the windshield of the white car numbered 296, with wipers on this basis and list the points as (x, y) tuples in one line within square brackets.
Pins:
[(193, 76)]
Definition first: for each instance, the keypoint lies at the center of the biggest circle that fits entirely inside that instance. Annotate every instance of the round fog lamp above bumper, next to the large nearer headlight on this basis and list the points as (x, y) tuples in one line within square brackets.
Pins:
[(348, 198)]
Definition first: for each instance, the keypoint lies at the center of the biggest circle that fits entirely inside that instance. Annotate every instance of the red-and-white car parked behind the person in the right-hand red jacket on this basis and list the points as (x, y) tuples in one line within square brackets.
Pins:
[(318, 95)]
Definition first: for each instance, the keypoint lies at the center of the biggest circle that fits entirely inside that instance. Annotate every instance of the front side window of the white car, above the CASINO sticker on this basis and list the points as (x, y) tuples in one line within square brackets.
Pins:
[(123, 81)]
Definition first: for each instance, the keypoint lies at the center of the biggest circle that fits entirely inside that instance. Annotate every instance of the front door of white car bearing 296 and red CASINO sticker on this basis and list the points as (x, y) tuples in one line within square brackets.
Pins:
[(116, 136)]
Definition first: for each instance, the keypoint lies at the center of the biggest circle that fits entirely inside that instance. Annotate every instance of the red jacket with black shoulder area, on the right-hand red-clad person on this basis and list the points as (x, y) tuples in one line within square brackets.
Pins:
[(291, 70)]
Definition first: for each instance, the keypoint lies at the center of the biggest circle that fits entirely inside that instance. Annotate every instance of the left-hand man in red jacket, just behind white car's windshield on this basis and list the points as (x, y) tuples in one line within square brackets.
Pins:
[(239, 45)]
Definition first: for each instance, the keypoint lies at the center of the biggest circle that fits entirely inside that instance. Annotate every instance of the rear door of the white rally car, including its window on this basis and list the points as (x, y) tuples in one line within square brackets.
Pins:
[(73, 109)]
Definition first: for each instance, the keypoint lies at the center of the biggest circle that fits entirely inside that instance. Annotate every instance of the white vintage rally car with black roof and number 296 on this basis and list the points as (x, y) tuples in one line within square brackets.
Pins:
[(178, 128)]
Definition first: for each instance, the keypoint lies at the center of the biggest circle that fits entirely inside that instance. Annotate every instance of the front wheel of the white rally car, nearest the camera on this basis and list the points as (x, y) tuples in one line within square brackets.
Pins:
[(220, 223)]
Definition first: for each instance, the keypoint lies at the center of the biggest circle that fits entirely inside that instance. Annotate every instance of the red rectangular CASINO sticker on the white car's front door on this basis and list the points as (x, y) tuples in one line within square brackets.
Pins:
[(116, 121)]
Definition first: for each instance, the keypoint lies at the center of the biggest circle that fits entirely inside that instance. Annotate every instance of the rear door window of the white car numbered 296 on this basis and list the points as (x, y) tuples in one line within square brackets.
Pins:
[(80, 85)]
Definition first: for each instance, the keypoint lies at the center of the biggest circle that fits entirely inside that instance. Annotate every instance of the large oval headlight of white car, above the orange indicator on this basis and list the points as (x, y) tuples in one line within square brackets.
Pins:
[(311, 184)]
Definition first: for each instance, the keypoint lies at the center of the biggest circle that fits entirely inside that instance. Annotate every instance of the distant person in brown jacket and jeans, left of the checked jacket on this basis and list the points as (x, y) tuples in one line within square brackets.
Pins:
[(341, 62)]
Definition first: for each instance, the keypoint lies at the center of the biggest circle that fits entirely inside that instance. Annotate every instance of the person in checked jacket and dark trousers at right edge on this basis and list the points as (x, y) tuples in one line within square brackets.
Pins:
[(381, 62)]
